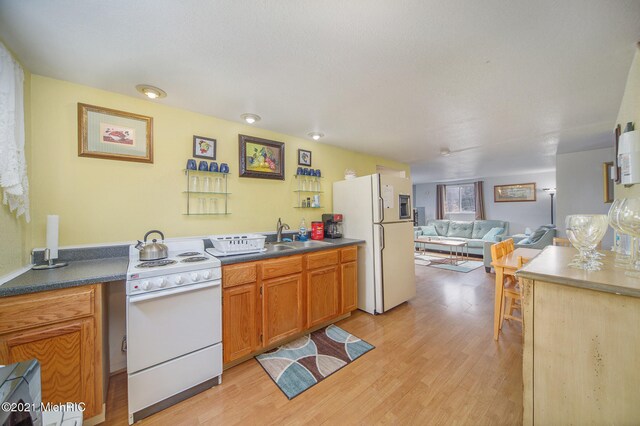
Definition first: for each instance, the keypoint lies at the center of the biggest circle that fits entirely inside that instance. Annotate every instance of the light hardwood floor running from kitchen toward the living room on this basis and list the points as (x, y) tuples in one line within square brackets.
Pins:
[(435, 362)]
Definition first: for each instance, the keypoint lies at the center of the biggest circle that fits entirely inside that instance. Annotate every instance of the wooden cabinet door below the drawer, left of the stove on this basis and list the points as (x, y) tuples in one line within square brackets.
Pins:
[(66, 354)]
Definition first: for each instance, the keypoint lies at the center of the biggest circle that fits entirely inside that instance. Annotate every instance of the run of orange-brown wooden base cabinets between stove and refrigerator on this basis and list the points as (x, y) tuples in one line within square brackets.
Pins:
[(270, 301)]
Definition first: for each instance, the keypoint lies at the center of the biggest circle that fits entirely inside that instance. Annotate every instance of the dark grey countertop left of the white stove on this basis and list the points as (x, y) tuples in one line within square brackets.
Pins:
[(77, 273)]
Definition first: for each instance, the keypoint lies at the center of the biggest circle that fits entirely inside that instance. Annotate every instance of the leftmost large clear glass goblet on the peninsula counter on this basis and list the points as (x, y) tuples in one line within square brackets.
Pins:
[(585, 231)]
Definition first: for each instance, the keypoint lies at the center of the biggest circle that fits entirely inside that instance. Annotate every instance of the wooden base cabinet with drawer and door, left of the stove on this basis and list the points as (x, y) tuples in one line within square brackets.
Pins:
[(62, 329)]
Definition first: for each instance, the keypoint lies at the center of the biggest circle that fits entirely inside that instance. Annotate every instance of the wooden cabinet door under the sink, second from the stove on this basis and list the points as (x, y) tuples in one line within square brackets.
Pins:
[(282, 308)]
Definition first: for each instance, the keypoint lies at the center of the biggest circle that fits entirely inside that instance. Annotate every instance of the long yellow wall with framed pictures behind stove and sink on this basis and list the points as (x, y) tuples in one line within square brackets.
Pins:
[(111, 201)]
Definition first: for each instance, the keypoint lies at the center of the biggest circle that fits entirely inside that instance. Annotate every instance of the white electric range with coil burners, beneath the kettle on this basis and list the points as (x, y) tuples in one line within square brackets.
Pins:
[(174, 327)]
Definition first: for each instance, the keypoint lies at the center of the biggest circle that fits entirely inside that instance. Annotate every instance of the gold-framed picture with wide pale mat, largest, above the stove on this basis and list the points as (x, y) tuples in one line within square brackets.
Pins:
[(114, 135)]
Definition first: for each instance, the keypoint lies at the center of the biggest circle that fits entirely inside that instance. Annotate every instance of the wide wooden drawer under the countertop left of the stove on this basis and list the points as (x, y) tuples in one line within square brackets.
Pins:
[(30, 310)]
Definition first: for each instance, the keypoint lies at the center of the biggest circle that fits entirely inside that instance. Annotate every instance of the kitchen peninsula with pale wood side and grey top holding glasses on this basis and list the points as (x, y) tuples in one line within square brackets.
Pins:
[(581, 342)]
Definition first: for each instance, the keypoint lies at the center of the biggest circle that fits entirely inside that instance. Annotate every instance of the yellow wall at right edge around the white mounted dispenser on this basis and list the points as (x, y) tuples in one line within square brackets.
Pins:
[(630, 111)]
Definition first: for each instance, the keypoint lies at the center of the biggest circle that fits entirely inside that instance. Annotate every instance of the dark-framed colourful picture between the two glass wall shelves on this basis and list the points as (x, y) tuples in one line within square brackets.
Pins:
[(261, 158)]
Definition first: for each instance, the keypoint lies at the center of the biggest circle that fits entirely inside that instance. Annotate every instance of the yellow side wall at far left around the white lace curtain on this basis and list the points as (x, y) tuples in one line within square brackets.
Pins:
[(15, 233)]
